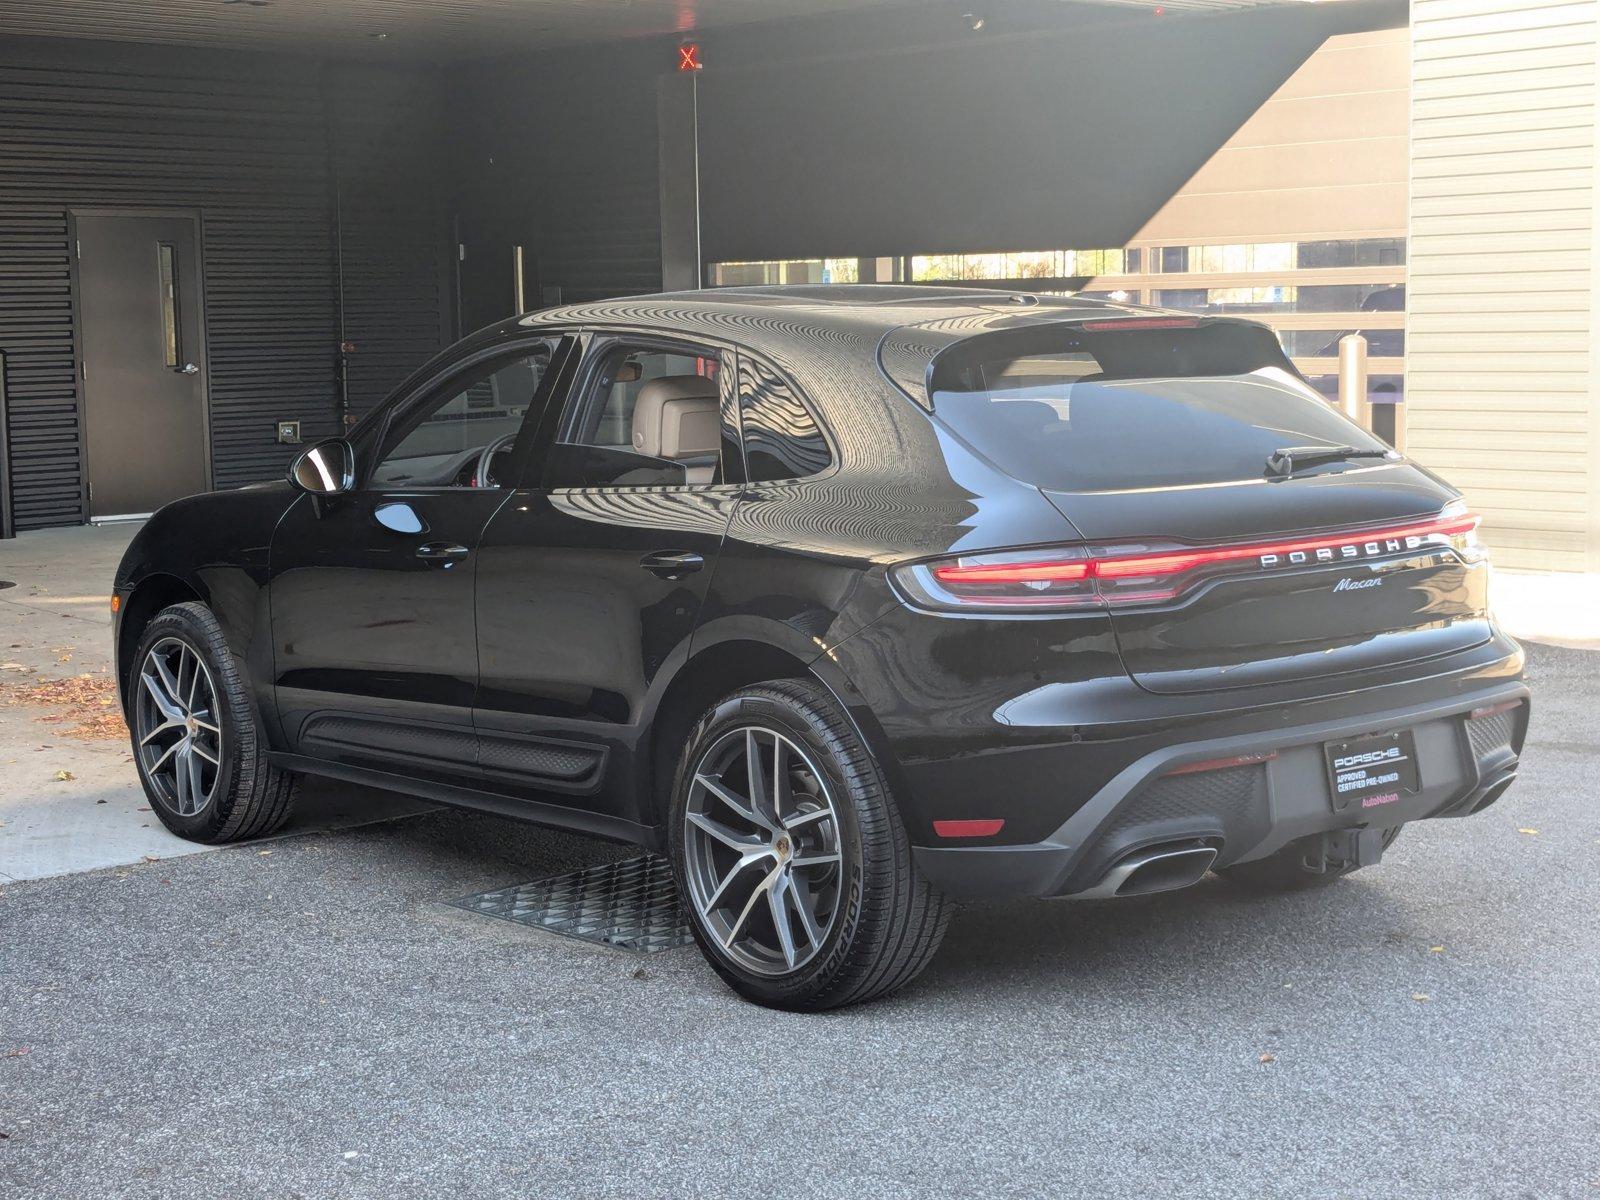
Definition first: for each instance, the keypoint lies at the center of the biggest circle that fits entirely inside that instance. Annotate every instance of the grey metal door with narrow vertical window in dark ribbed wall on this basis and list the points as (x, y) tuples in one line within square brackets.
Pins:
[(143, 362)]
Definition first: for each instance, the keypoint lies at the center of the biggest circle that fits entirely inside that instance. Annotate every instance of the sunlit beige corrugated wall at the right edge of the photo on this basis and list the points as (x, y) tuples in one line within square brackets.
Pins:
[(1503, 351)]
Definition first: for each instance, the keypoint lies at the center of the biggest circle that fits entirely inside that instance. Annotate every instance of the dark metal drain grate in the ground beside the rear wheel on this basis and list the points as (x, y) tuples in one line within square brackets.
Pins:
[(631, 905)]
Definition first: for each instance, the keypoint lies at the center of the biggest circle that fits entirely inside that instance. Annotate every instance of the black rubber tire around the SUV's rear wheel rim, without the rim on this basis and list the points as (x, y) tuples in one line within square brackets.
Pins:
[(887, 921)]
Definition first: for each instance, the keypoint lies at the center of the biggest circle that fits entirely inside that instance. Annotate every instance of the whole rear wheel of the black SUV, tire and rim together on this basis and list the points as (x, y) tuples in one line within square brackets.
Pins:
[(791, 858)]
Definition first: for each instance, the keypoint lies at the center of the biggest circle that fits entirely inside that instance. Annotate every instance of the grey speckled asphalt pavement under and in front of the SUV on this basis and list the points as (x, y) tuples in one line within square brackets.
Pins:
[(310, 1018)]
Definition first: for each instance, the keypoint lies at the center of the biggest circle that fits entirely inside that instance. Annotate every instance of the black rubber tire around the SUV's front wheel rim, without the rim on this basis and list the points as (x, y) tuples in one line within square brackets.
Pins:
[(249, 798)]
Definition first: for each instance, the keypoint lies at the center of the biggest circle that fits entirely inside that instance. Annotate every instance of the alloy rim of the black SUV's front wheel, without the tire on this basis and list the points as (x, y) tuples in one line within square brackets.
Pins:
[(178, 737)]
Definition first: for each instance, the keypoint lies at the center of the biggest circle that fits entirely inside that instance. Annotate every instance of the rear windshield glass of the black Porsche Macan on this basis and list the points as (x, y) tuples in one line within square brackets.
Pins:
[(1073, 410)]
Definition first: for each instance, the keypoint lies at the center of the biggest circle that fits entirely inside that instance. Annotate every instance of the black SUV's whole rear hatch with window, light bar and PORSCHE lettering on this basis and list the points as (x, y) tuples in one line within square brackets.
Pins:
[(1222, 566)]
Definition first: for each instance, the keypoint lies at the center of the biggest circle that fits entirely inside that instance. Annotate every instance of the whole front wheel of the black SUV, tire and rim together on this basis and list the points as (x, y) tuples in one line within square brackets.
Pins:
[(196, 743)]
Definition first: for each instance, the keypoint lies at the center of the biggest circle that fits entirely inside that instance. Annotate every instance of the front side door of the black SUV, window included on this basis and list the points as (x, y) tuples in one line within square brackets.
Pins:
[(375, 641)]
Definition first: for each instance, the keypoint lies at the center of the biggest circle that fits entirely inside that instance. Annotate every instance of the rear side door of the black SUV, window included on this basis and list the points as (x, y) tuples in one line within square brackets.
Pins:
[(591, 577)]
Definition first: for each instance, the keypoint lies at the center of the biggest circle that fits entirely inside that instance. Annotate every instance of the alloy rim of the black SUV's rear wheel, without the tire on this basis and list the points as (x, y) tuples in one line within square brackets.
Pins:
[(762, 850)]
